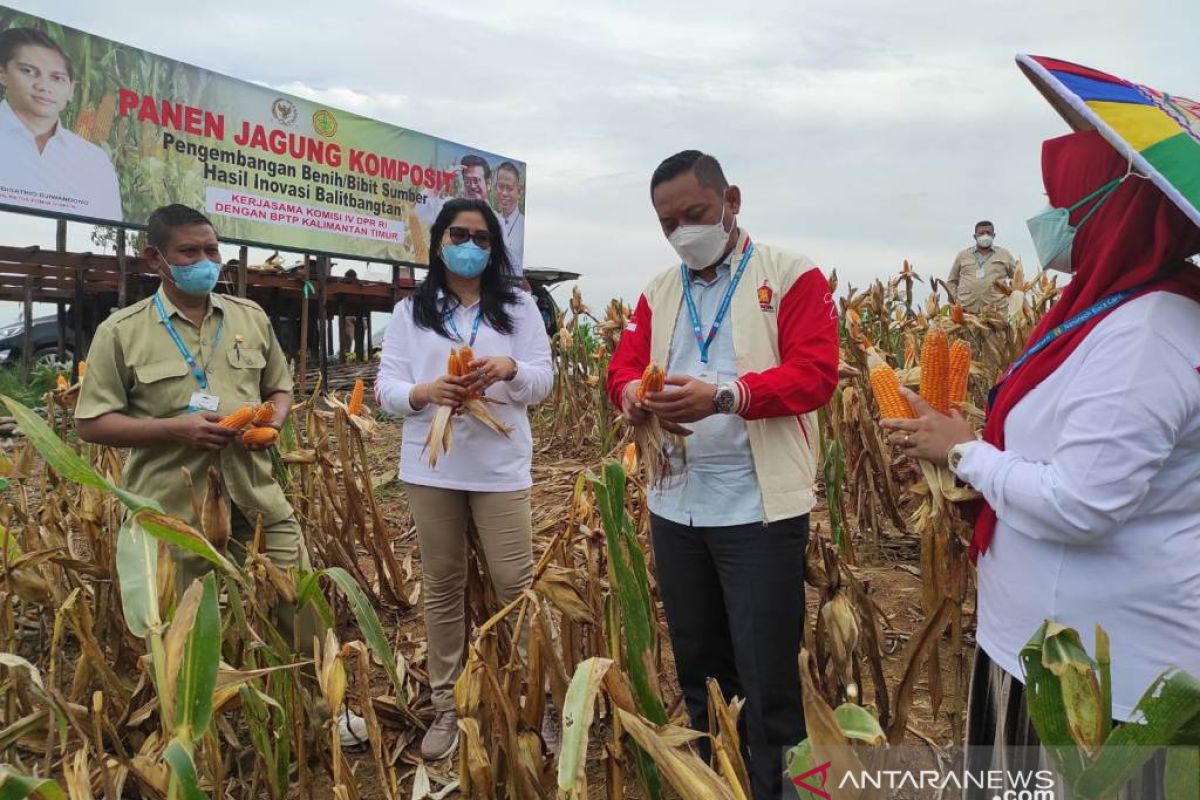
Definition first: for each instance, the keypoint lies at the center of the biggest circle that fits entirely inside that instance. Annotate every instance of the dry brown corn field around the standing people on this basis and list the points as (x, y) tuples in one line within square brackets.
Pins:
[(117, 685)]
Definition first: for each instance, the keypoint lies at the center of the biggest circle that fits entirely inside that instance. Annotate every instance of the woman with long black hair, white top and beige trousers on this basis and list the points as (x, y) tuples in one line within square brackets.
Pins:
[(469, 298)]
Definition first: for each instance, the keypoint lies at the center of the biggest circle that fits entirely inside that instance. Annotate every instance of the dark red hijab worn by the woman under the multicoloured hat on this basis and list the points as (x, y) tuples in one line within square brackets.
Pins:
[(1135, 237)]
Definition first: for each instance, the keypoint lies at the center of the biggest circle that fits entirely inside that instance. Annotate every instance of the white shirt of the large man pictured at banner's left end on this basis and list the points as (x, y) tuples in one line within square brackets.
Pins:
[(70, 176)]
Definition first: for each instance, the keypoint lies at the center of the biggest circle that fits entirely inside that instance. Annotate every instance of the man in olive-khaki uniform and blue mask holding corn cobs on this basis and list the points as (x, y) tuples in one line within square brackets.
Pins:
[(164, 372)]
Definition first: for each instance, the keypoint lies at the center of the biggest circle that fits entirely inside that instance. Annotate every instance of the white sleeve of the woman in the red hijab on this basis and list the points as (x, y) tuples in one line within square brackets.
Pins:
[(1121, 418)]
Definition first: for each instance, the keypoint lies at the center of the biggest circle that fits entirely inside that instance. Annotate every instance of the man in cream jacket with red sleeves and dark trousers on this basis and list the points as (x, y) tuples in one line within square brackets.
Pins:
[(748, 336)]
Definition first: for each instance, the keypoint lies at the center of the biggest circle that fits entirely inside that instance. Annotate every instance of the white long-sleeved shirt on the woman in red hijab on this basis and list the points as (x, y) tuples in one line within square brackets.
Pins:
[(1099, 501)]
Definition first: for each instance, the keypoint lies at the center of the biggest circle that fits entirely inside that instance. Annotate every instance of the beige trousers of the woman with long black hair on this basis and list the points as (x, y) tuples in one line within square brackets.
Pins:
[(505, 522)]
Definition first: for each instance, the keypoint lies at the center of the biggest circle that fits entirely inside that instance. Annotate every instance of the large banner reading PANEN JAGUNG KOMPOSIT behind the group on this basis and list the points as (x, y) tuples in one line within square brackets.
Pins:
[(103, 133)]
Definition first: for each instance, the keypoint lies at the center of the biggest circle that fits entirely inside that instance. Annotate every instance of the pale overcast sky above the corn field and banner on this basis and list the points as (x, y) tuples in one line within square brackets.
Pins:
[(862, 133)]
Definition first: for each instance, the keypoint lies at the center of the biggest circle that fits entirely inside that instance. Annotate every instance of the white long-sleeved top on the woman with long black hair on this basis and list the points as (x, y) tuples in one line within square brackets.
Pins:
[(479, 460)]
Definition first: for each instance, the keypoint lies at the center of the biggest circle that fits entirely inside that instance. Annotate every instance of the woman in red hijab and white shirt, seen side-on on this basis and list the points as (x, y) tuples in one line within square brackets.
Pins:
[(1090, 460)]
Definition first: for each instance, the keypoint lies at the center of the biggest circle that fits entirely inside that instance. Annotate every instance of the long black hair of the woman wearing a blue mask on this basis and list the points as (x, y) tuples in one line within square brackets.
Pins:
[(496, 285)]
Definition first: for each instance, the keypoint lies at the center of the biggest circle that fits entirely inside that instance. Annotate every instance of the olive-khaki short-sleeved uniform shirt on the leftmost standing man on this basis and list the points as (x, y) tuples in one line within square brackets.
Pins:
[(136, 369)]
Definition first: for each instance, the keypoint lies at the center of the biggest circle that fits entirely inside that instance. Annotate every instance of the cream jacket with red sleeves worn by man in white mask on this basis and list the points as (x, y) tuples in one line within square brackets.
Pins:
[(785, 341)]
